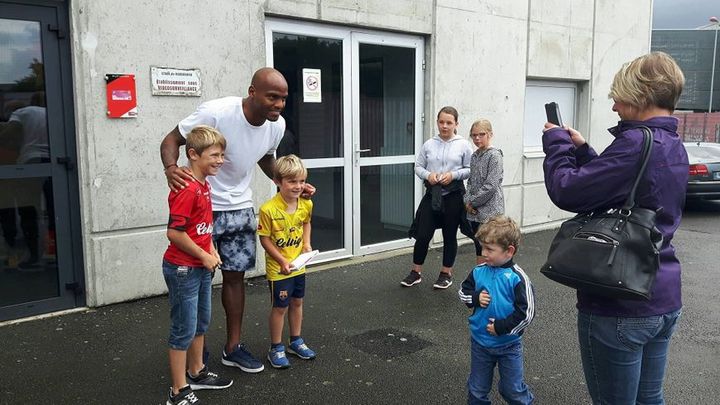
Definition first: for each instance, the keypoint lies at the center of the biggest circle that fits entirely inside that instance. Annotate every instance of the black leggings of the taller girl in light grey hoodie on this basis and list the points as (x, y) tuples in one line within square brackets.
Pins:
[(428, 220)]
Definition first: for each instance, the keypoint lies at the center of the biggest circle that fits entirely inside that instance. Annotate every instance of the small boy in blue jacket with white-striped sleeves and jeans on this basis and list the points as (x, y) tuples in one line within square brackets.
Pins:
[(501, 296)]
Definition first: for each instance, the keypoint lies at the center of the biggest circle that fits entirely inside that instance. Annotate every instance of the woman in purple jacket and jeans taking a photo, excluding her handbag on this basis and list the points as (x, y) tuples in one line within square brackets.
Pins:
[(624, 344)]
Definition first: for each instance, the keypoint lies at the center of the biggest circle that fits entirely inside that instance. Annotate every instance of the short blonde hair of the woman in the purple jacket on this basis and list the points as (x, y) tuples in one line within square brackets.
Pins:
[(650, 80)]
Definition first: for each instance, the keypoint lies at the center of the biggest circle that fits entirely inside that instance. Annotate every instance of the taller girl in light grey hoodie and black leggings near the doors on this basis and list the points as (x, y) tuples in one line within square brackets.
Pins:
[(443, 163)]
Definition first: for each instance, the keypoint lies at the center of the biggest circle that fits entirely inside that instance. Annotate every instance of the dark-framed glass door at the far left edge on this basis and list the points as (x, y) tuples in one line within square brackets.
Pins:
[(36, 263)]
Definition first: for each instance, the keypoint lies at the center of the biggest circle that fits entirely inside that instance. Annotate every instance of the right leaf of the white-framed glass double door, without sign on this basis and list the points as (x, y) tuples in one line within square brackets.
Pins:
[(387, 108)]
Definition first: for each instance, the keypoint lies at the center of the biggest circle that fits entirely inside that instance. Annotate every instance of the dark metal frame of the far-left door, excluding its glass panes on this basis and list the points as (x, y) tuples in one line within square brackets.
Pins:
[(55, 36)]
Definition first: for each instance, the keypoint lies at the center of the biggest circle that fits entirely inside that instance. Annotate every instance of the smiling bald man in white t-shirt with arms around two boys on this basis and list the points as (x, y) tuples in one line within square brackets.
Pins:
[(253, 129)]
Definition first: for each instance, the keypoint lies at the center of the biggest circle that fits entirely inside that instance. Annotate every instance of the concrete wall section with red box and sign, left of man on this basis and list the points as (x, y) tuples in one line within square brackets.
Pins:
[(123, 186)]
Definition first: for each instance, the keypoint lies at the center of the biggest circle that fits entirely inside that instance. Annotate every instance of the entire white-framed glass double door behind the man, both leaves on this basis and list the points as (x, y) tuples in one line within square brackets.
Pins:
[(353, 115)]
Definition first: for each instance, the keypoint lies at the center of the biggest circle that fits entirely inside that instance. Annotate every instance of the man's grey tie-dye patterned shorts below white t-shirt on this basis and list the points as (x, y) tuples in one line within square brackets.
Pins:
[(234, 236)]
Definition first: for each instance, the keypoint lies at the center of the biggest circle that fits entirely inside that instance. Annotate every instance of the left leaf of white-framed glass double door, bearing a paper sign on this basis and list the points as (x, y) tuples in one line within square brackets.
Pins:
[(317, 123)]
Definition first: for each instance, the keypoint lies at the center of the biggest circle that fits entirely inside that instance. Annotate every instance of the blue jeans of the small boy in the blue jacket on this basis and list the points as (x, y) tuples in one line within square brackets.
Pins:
[(511, 385)]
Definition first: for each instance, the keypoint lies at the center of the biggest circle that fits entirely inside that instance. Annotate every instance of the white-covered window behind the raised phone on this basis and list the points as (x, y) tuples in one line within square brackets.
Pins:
[(537, 94)]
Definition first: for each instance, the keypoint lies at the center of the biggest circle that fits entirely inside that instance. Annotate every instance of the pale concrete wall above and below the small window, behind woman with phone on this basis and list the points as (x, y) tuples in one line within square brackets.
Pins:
[(589, 47)]
